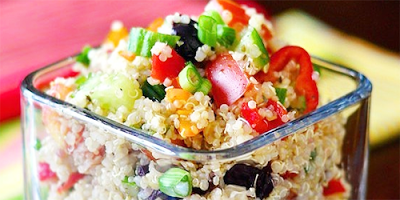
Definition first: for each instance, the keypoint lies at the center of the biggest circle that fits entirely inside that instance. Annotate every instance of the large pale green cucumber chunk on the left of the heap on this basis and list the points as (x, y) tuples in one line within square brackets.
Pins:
[(111, 91)]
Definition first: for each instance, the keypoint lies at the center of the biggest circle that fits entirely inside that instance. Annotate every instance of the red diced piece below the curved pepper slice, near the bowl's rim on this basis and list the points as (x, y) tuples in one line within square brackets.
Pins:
[(257, 122)]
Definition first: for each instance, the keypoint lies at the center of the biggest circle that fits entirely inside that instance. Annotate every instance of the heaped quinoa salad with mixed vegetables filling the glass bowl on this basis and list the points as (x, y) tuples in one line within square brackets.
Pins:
[(206, 82)]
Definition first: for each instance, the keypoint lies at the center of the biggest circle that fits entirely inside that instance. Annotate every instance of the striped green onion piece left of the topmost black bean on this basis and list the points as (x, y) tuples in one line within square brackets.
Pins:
[(141, 41)]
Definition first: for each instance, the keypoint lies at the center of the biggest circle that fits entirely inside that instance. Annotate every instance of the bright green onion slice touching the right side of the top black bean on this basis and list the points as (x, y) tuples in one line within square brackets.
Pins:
[(207, 30)]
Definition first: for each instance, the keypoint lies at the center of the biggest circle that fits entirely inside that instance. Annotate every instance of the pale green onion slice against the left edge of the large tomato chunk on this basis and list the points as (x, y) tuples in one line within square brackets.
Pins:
[(189, 78)]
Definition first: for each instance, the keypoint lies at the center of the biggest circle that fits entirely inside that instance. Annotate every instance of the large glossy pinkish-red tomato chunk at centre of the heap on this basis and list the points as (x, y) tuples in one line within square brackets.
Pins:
[(228, 81)]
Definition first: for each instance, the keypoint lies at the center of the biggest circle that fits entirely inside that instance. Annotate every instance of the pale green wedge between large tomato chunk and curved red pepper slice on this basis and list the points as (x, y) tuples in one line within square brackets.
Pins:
[(252, 45)]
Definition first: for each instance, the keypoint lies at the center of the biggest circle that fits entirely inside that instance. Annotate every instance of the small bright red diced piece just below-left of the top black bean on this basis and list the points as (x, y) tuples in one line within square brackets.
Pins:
[(170, 68)]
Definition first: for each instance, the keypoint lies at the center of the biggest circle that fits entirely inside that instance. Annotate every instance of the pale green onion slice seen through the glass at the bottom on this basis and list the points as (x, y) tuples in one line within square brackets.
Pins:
[(176, 182)]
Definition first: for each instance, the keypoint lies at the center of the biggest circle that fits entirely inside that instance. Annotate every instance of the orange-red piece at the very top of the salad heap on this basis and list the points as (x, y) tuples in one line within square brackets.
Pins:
[(238, 13)]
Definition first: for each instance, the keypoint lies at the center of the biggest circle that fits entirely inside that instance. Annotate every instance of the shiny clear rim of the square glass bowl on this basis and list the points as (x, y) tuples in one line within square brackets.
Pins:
[(362, 91)]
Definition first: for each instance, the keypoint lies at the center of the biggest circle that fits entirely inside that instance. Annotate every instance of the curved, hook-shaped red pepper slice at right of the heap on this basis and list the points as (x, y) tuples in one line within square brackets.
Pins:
[(305, 85)]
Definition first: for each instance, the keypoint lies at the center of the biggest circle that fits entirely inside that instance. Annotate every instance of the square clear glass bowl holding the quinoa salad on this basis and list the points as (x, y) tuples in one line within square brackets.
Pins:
[(343, 113)]
